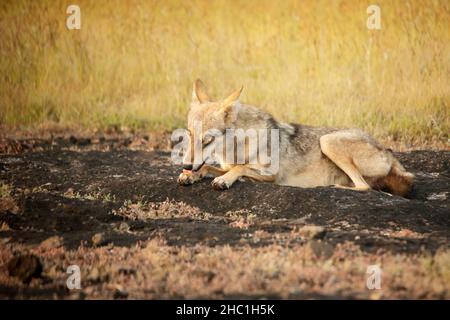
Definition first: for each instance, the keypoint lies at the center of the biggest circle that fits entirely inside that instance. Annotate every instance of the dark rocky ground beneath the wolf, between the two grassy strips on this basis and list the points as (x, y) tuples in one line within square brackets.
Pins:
[(79, 189)]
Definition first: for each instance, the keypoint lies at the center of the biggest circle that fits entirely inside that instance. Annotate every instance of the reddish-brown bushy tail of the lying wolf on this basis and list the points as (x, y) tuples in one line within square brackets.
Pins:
[(398, 181)]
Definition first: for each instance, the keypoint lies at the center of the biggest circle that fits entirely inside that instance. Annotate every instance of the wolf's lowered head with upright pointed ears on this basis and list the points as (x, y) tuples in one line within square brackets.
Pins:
[(207, 122)]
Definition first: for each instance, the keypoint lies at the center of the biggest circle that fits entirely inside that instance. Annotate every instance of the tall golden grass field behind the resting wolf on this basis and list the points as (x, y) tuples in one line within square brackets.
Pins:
[(133, 63)]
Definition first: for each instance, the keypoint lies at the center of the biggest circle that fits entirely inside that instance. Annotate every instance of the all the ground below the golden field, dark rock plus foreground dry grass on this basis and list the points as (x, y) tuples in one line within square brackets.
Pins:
[(206, 243)]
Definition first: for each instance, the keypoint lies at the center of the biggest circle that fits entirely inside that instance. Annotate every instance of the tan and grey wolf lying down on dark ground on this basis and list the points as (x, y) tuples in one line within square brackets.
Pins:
[(308, 156)]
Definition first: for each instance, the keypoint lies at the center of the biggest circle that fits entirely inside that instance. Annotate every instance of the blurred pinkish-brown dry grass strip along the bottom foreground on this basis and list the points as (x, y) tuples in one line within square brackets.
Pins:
[(156, 270)]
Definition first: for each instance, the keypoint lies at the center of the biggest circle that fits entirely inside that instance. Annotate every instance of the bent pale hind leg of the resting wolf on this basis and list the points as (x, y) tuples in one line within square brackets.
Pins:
[(358, 155)]
